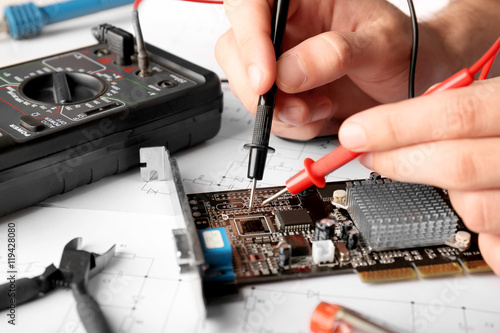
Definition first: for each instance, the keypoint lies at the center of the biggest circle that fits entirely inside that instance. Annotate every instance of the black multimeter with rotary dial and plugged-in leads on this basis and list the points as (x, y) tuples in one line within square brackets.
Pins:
[(73, 118)]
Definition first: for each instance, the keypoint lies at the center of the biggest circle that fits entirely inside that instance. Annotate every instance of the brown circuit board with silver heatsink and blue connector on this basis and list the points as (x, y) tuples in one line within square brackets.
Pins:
[(310, 234)]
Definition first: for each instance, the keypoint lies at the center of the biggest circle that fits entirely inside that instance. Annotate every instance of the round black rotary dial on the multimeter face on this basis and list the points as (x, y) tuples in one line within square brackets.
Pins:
[(62, 88)]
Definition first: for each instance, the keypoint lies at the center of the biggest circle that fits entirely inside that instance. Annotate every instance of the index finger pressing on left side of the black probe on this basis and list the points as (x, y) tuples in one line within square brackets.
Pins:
[(251, 23)]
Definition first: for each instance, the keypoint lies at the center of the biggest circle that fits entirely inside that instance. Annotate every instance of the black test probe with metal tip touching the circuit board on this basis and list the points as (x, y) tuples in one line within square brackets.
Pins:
[(265, 107)]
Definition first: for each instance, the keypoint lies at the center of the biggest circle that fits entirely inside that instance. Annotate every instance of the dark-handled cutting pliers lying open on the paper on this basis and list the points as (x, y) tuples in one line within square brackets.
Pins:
[(74, 271)]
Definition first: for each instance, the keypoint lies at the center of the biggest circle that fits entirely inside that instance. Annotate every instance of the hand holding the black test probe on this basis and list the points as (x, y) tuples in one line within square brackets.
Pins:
[(340, 57)]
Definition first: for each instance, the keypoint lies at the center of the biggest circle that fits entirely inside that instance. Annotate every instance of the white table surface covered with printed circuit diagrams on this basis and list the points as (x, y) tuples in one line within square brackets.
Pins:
[(142, 289)]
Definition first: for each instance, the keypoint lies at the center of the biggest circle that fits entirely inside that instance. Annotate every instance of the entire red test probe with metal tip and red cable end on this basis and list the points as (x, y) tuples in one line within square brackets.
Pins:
[(314, 173)]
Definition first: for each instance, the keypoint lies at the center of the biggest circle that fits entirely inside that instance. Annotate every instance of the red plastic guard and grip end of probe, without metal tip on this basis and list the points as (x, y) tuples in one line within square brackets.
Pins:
[(314, 173)]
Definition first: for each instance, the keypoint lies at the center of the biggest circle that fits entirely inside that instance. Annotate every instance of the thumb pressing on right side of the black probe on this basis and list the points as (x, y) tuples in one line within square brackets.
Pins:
[(323, 59)]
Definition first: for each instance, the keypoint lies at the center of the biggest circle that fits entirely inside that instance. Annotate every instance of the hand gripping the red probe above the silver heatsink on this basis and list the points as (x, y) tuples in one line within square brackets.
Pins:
[(449, 140)]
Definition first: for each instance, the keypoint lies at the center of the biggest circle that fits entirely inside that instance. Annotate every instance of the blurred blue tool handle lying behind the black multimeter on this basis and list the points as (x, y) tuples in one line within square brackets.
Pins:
[(27, 20)]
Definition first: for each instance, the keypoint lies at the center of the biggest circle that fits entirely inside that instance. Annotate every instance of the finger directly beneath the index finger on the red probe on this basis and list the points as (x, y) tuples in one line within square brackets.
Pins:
[(454, 165)]
